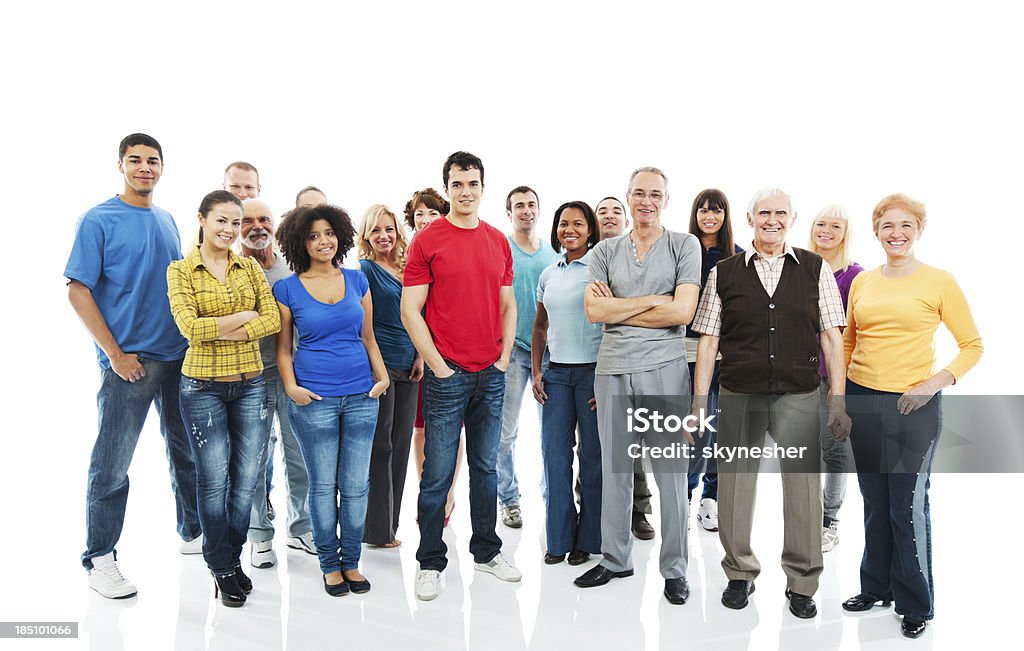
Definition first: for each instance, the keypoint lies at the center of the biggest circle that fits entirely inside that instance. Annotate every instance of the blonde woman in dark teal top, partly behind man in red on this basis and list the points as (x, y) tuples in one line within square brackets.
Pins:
[(382, 257)]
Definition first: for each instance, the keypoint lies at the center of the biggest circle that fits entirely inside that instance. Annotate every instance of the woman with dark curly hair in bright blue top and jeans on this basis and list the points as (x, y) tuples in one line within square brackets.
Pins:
[(333, 380)]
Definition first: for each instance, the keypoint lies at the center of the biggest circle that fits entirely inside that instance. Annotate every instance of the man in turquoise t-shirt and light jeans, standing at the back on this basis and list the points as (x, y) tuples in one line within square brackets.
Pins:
[(531, 255)]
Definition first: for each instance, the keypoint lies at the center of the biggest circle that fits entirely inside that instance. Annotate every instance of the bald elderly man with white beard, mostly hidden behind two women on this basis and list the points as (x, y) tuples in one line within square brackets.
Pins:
[(258, 243)]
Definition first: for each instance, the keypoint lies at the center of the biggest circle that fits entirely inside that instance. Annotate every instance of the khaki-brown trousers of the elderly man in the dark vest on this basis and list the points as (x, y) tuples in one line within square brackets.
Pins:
[(793, 421)]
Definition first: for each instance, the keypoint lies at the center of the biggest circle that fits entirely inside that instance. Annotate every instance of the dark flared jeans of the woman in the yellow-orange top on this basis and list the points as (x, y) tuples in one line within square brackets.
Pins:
[(894, 455)]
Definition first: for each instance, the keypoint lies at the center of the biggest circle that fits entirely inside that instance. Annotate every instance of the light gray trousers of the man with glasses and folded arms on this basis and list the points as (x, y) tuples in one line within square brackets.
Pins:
[(615, 395)]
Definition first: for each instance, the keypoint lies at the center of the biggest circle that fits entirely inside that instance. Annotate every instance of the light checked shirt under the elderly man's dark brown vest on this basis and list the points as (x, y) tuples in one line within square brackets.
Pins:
[(708, 320)]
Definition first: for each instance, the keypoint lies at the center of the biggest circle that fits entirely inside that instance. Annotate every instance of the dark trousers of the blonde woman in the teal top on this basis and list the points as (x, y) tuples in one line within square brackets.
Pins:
[(390, 460)]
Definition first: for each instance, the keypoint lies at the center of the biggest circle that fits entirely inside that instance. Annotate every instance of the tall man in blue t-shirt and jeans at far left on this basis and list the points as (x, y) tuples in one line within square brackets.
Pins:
[(117, 276)]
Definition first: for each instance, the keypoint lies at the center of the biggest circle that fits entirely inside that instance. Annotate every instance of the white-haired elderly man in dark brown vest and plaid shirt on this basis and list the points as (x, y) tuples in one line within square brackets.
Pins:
[(765, 311)]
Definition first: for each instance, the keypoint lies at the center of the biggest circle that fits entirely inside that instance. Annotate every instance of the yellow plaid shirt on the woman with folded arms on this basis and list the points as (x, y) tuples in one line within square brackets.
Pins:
[(198, 299)]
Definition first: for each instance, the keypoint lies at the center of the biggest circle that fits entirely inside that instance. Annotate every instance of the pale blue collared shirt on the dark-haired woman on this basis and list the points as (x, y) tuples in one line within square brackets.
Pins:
[(572, 338)]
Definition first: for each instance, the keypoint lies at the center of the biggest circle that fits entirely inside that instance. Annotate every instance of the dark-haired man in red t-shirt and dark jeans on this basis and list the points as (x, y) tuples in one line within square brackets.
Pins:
[(460, 270)]
